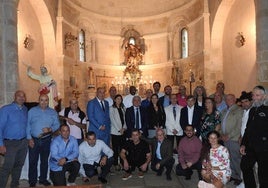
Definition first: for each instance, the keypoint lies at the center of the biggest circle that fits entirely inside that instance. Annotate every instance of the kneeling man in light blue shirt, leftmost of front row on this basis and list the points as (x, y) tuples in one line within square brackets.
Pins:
[(64, 157)]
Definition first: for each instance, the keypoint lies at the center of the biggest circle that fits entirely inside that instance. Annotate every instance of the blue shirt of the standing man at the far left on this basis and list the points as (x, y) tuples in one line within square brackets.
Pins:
[(13, 121)]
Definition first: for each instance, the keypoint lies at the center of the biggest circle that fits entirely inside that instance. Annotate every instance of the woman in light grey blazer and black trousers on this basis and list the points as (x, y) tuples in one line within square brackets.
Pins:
[(118, 127)]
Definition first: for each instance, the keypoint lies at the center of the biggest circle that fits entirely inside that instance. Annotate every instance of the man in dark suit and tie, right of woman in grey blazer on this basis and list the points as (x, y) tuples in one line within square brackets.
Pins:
[(136, 118)]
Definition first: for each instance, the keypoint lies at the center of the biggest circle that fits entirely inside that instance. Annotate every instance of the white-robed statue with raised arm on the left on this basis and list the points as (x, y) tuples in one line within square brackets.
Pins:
[(47, 85)]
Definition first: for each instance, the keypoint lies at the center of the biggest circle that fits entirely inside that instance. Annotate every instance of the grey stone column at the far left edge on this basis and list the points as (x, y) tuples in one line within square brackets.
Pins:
[(8, 50)]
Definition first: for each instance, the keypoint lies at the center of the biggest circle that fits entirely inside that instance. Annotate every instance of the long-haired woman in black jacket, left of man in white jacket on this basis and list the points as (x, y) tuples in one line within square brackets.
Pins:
[(156, 116)]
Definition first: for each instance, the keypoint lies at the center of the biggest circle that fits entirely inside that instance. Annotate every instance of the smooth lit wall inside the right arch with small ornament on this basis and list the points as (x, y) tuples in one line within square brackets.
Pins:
[(239, 61)]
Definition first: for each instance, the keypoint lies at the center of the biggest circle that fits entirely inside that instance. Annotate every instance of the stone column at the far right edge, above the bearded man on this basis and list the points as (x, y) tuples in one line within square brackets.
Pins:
[(262, 39)]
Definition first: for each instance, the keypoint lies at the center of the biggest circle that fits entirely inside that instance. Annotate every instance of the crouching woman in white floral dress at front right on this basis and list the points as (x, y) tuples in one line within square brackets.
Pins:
[(216, 164)]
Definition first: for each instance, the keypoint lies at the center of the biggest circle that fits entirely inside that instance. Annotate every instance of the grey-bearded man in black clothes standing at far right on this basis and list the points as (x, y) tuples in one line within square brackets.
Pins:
[(254, 146)]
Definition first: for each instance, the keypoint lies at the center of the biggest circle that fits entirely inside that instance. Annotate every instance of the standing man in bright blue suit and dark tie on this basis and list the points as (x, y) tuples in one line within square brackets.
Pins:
[(98, 115)]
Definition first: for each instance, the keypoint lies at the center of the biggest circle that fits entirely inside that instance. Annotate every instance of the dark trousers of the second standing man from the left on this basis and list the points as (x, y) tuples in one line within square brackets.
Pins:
[(41, 148)]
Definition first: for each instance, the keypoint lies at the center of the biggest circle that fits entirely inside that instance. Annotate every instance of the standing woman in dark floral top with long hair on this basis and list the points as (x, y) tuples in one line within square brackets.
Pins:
[(210, 120)]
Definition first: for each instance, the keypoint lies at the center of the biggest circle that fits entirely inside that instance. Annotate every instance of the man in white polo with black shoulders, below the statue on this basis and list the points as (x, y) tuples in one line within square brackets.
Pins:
[(75, 119)]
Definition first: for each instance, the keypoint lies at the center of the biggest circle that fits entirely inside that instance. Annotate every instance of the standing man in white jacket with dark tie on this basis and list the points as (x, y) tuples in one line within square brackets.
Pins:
[(173, 127)]
